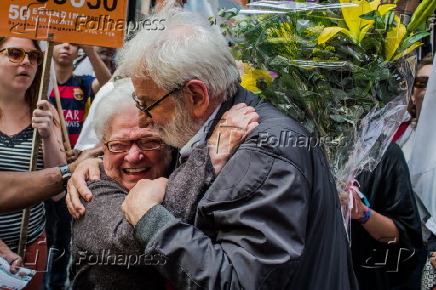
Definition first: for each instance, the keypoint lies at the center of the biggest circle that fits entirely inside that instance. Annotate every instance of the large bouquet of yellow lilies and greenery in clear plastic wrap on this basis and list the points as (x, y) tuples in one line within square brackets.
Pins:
[(343, 69)]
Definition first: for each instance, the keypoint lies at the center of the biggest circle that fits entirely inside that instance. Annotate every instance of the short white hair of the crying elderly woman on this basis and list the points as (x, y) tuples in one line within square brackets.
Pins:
[(111, 104)]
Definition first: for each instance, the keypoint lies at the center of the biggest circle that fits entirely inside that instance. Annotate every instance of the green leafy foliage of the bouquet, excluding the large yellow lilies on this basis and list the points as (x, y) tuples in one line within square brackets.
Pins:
[(328, 87)]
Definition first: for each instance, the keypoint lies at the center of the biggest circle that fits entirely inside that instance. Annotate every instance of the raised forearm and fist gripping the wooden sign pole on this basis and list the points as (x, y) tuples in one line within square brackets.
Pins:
[(43, 119)]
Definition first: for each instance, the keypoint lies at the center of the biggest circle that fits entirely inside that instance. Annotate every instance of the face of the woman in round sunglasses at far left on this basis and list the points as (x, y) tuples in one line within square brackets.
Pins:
[(17, 76)]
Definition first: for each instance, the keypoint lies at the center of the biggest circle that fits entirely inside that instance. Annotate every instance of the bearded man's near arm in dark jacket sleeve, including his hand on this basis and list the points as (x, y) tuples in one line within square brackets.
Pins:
[(258, 227)]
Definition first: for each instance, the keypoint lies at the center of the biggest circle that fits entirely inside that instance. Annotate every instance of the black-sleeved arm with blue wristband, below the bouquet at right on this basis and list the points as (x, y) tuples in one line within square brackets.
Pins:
[(396, 217)]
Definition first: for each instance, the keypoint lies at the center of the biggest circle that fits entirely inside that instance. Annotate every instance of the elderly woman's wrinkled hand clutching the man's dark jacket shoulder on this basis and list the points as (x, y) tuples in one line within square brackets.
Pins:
[(235, 125)]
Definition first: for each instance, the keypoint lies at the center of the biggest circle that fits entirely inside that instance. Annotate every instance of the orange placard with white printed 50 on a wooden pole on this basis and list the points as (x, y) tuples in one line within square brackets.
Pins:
[(93, 22)]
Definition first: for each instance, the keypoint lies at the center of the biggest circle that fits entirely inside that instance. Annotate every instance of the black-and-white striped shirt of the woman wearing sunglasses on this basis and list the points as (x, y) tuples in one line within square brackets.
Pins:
[(15, 154)]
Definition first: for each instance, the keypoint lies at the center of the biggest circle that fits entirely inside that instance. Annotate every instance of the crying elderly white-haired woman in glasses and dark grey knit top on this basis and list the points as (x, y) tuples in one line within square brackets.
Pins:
[(105, 253)]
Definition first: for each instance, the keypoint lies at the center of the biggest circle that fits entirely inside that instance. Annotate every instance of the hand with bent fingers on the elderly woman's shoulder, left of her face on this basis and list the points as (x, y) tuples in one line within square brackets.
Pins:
[(76, 187)]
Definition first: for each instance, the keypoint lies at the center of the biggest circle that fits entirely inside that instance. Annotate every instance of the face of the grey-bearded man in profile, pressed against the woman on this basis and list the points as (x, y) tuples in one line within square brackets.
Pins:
[(170, 117)]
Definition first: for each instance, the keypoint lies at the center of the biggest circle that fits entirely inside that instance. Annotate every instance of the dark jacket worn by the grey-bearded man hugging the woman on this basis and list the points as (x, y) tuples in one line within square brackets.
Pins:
[(270, 220)]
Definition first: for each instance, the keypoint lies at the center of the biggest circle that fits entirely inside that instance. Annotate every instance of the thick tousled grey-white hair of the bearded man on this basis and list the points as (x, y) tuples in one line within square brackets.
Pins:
[(188, 48)]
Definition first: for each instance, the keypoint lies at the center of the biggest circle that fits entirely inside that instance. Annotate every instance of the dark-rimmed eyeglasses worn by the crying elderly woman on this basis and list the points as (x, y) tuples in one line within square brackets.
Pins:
[(123, 145)]
